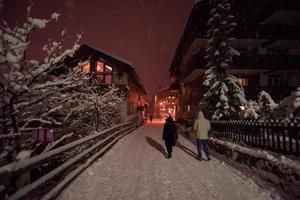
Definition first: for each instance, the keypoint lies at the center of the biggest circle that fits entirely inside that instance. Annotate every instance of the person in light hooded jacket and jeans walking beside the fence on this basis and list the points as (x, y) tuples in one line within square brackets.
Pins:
[(201, 127)]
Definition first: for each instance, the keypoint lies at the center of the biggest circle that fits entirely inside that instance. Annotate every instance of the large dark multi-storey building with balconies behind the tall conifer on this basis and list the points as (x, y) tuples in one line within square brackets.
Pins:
[(268, 39)]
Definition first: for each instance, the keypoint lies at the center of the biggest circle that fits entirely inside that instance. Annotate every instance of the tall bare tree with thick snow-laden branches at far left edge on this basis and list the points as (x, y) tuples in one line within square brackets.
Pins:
[(19, 75)]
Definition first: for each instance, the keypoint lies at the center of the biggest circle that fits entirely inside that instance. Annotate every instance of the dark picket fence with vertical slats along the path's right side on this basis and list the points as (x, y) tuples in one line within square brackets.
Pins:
[(277, 136)]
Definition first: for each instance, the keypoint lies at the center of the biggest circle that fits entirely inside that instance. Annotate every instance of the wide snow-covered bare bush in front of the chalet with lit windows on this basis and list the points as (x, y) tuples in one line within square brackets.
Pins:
[(80, 103)]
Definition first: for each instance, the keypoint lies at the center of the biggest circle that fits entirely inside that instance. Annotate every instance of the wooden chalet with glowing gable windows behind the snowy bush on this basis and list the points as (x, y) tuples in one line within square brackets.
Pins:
[(110, 70)]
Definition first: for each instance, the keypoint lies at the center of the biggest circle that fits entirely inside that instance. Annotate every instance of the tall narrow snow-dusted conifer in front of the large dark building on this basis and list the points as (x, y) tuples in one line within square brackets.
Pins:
[(225, 95)]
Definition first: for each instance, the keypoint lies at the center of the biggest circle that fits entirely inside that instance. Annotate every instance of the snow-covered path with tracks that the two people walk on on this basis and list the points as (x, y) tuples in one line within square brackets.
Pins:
[(136, 168)]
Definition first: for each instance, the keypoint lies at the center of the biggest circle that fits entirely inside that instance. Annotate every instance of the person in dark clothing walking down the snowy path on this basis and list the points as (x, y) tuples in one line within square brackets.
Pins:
[(170, 135)]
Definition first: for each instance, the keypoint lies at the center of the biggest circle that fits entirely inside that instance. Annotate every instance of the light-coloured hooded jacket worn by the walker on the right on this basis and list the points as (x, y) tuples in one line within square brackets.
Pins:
[(201, 126)]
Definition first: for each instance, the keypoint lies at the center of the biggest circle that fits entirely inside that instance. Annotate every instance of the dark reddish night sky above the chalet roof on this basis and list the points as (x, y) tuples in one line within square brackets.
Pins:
[(143, 32)]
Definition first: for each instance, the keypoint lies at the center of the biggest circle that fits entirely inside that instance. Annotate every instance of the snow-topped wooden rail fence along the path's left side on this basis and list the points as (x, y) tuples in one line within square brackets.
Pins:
[(87, 149)]
